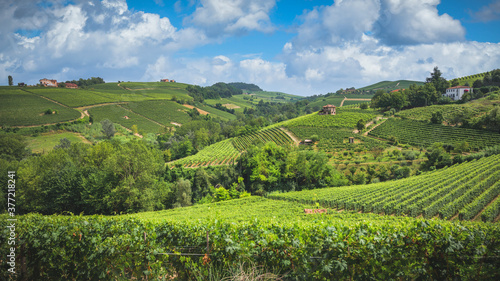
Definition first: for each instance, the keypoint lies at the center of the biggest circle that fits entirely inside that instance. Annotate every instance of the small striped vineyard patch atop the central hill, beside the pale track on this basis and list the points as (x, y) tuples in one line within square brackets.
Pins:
[(268, 135)]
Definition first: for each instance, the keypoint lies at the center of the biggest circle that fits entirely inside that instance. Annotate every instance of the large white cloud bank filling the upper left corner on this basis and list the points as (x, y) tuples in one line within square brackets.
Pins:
[(87, 37)]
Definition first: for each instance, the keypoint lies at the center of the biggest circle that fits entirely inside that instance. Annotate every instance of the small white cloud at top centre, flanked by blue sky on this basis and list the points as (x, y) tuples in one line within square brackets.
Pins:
[(233, 17)]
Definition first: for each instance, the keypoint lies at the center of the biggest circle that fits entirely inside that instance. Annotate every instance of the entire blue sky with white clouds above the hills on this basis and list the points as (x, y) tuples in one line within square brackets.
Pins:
[(301, 47)]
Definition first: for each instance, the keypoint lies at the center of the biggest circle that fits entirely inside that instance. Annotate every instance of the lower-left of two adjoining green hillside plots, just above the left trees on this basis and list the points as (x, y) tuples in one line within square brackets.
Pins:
[(116, 114)]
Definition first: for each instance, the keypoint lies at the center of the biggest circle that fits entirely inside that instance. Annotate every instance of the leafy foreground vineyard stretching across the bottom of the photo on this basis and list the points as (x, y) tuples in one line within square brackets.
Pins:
[(190, 243)]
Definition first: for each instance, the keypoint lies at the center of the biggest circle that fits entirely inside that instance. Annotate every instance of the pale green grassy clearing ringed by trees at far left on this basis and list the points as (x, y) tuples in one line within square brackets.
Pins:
[(46, 141)]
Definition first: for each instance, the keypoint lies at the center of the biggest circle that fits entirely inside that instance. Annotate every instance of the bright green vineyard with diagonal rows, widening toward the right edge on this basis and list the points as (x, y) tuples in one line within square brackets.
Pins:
[(463, 190)]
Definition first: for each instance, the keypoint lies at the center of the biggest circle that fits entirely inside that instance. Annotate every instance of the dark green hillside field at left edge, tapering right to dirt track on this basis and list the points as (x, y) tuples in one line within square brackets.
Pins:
[(18, 108)]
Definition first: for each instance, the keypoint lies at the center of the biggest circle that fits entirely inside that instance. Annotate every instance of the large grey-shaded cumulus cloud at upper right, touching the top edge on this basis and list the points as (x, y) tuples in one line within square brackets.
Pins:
[(394, 22)]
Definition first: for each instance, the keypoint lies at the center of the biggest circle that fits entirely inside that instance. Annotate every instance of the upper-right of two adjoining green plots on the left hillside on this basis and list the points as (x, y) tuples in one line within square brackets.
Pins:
[(161, 111)]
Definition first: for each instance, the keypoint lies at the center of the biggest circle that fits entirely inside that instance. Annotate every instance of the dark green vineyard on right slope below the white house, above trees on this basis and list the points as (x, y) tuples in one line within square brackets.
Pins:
[(424, 134)]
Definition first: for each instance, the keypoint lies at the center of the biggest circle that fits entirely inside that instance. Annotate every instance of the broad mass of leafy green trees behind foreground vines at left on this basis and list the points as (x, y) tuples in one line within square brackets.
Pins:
[(105, 178)]
